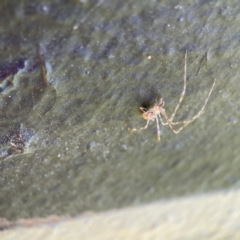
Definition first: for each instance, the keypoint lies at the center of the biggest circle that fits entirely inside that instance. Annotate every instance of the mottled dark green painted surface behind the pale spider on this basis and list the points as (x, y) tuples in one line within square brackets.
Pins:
[(78, 154)]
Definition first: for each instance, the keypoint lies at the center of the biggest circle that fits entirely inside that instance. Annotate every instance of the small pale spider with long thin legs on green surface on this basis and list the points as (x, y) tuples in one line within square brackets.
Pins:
[(157, 110)]
